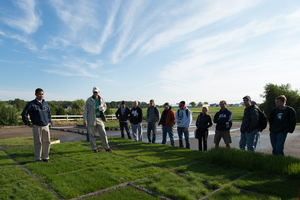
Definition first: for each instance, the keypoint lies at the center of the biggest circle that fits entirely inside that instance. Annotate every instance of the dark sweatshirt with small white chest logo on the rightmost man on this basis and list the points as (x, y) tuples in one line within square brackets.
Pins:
[(283, 121)]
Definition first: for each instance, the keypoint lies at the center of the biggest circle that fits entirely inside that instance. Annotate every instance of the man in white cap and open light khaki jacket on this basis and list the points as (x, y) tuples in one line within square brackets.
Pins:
[(93, 118)]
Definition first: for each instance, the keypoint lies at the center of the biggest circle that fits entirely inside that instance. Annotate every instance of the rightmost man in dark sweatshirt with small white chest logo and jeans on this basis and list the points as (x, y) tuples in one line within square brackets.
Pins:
[(282, 121)]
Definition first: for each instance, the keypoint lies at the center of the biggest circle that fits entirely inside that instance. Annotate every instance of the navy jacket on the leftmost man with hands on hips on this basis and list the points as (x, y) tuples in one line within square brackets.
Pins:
[(40, 114)]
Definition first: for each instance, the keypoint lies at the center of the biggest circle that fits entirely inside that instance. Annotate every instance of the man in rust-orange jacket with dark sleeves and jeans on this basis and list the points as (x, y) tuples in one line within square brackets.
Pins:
[(167, 121)]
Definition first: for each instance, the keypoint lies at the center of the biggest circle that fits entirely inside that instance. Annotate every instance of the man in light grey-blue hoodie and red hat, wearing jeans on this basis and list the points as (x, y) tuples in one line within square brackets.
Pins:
[(183, 118)]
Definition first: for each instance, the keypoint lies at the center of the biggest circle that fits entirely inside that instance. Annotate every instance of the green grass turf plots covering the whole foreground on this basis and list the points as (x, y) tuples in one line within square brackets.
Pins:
[(168, 171)]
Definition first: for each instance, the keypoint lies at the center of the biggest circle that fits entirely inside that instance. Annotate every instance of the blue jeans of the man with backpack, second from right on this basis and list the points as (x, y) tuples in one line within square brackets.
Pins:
[(249, 139)]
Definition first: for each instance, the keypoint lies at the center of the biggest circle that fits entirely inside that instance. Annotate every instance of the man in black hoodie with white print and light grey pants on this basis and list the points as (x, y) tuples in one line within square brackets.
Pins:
[(136, 117)]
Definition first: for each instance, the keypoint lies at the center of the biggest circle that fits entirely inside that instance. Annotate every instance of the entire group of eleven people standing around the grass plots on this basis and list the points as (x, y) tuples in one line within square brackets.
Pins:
[(282, 121)]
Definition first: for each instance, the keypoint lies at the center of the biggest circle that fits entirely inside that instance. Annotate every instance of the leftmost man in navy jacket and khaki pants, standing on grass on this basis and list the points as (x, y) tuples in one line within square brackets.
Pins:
[(40, 115)]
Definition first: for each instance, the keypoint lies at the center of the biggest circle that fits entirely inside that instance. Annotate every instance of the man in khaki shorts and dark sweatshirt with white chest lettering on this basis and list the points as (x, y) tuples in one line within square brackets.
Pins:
[(223, 121)]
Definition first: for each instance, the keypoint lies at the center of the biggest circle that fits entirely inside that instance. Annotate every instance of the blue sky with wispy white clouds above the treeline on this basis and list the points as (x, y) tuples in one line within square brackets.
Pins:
[(169, 51)]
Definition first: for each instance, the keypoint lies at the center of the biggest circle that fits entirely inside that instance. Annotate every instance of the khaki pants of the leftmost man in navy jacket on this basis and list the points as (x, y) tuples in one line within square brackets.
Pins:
[(41, 137)]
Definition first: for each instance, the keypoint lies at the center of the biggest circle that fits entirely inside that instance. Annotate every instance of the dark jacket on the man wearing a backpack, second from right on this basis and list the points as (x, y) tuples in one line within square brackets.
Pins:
[(250, 119)]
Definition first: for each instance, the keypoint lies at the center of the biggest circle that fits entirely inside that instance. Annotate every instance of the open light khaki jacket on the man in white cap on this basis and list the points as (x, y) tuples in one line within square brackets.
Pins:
[(89, 114)]
